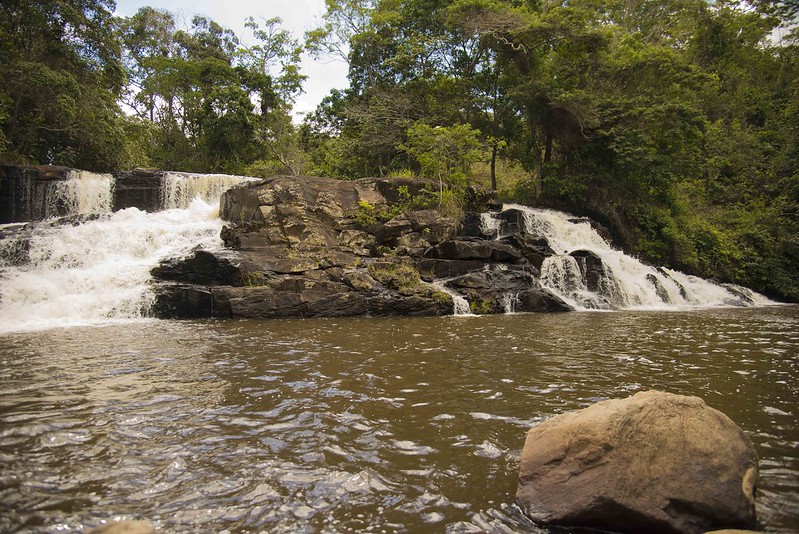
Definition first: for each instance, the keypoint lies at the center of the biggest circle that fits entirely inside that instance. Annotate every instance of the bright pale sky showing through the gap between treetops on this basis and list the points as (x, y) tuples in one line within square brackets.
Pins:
[(298, 16)]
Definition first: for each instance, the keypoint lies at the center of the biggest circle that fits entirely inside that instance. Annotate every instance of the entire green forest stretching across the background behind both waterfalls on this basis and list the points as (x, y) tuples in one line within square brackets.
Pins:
[(673, 122)]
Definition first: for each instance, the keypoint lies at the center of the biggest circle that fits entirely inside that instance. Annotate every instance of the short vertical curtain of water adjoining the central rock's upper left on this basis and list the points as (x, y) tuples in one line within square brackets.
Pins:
[(181, 188)]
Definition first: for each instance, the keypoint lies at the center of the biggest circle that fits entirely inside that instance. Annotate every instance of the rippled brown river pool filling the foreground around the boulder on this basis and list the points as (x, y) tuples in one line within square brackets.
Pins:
[(358, 424)]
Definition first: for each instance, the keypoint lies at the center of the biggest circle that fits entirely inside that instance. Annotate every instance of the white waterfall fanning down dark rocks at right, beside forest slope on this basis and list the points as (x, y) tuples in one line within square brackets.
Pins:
[(621, 281)]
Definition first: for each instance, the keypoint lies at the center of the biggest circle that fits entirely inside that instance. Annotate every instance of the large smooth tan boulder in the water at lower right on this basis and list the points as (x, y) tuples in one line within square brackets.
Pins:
[(655, 462)]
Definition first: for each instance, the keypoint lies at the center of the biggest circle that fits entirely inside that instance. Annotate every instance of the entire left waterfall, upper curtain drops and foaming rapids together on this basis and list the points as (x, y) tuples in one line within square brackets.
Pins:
[(56, 273)]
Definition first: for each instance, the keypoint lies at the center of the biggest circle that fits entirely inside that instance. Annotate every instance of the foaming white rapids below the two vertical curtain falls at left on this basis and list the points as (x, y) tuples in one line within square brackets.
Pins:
[(98, 271)]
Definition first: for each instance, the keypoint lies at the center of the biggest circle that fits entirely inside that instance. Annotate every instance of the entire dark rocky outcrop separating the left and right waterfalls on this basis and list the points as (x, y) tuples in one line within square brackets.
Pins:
[(314, 247)]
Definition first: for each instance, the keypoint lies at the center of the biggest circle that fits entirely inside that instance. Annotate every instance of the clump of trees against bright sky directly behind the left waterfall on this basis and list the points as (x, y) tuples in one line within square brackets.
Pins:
[(219, 106)]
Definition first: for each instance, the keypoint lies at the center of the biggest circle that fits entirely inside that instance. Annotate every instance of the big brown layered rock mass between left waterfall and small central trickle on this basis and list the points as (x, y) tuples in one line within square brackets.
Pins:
[(311, 247)]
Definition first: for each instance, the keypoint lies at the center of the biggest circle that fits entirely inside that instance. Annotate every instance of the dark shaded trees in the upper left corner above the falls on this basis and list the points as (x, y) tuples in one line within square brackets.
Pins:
[(60, 76)]
